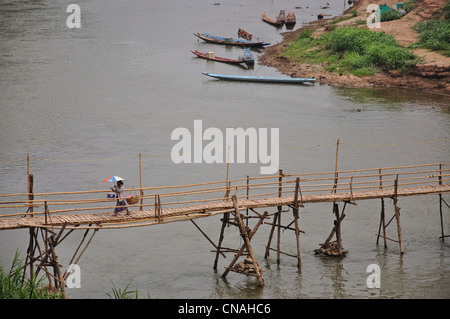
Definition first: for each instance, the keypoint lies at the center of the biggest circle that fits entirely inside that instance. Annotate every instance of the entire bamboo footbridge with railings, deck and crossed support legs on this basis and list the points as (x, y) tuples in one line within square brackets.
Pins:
[(238, 201)]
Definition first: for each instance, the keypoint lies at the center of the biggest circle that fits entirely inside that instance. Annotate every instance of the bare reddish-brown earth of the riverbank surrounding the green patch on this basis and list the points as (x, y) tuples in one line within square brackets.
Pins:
[(430, 75)]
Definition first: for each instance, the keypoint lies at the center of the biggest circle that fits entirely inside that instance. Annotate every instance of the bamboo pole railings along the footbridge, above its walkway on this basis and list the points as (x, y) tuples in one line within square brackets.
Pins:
[(160, 199)]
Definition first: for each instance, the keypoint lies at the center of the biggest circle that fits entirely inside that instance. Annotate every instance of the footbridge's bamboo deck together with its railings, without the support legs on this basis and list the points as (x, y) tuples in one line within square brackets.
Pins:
[(344, 186)]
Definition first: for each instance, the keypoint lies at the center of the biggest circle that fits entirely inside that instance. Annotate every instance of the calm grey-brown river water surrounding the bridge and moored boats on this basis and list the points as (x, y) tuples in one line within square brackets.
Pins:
[(84, 102)]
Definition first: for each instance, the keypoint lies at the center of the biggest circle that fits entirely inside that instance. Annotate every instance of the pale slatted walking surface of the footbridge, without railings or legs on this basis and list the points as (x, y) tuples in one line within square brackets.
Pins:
[(149, 217)]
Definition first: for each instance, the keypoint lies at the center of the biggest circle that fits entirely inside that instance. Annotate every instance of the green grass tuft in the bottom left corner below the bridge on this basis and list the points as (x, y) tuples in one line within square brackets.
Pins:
[(14, 285)]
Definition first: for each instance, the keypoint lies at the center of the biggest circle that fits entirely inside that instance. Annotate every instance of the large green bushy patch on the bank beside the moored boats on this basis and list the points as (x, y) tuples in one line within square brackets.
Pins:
[(350, 50)]
